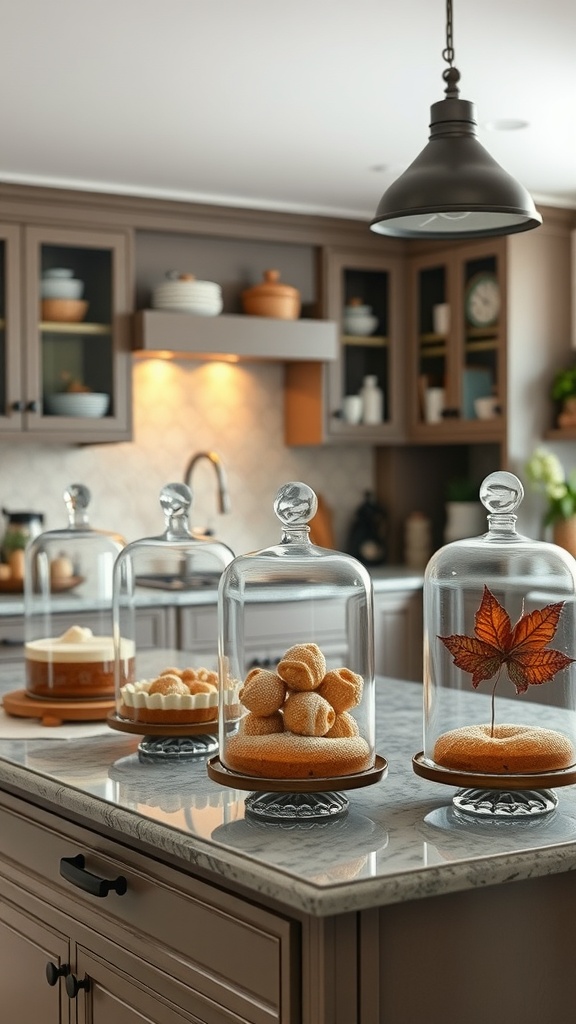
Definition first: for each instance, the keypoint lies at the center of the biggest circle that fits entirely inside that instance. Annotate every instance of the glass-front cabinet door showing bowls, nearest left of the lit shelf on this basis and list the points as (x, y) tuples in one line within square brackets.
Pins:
[(77, 304)]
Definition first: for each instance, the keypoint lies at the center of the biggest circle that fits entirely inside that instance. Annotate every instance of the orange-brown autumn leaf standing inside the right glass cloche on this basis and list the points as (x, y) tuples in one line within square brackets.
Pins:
[(523, 649)]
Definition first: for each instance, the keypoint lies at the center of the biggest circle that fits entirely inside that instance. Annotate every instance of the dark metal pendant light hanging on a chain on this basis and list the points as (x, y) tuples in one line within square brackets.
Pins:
[(455, 189)]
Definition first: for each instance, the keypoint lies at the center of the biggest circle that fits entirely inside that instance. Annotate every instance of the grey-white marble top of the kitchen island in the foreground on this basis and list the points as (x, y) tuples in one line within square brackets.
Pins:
[(401, 840)]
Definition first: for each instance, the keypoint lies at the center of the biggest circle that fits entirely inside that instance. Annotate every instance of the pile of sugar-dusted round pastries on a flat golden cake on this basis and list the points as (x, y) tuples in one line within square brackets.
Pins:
[(299, 722)]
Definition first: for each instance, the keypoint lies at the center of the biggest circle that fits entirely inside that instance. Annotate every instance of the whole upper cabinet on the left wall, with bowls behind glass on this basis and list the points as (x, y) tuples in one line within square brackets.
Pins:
[(54, 366)]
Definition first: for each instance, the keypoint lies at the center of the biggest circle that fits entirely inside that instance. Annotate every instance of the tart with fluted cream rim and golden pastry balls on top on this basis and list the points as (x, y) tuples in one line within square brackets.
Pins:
[(177, 697)]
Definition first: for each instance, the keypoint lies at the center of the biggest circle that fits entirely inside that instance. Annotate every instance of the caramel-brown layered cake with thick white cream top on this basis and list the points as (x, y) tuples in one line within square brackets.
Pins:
[(75, 666)]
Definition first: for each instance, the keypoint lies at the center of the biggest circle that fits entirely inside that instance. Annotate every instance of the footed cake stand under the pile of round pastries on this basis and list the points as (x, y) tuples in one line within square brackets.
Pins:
[(297, 800)]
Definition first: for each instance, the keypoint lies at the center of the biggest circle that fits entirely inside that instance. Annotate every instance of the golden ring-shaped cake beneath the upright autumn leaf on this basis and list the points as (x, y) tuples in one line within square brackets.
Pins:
[(513, 749)]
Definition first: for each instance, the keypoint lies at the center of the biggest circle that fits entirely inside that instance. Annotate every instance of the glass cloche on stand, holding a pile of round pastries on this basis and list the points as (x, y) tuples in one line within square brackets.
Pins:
[(304, 727)]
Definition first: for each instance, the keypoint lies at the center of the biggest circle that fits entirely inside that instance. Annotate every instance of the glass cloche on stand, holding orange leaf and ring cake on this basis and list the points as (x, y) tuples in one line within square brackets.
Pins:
[(500, 665)]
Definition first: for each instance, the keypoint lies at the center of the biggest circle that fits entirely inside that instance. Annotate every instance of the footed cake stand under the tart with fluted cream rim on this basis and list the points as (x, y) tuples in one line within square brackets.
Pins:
[(163, 743)]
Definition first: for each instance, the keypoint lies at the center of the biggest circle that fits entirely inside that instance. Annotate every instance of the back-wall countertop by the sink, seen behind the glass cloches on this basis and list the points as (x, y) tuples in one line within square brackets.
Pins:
[(386, 579)]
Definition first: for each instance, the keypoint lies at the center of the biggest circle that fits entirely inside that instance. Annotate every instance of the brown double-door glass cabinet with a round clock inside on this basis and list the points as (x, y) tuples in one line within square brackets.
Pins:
[(458, 331)]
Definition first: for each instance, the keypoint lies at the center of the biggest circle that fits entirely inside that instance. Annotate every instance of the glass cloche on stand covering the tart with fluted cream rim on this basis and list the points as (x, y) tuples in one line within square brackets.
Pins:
[(163, 693)]
